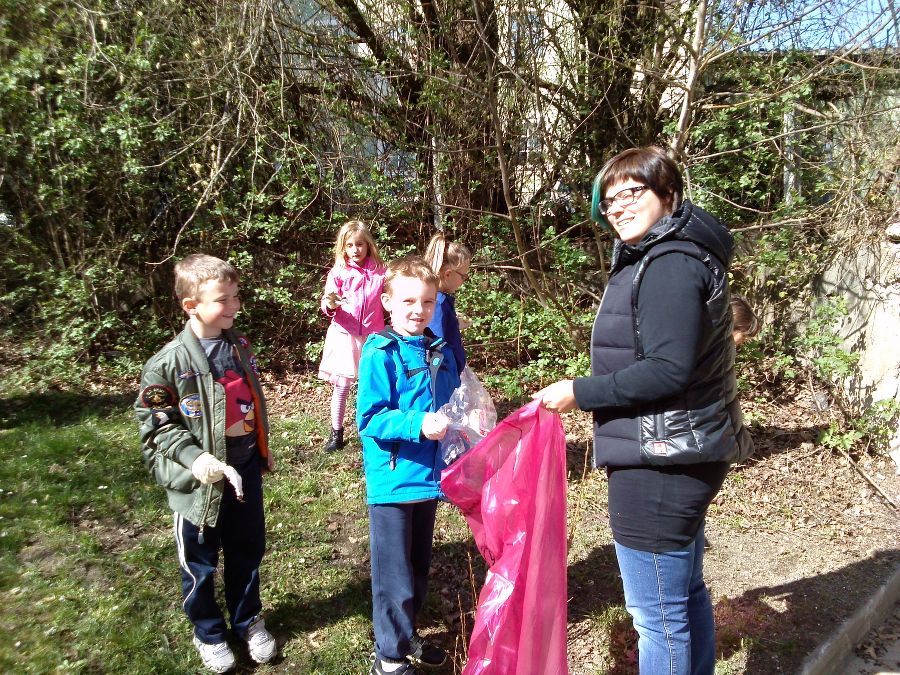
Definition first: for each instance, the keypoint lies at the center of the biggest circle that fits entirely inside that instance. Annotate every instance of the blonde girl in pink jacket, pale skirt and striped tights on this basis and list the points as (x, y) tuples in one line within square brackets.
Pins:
[(352, 298)]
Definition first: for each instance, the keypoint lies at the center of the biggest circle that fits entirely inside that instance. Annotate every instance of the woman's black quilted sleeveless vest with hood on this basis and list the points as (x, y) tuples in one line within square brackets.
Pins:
[(703, 423)]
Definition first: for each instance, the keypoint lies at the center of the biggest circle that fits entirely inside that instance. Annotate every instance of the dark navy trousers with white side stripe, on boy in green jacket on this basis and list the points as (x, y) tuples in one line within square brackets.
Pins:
[(241, 533)]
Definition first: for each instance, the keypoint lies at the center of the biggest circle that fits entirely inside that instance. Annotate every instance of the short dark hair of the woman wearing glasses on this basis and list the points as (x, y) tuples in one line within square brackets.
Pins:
[(650, 166)]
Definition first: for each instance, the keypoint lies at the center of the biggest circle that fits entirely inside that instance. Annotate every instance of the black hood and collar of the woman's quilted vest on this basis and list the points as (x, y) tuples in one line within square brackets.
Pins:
[(688, 223)]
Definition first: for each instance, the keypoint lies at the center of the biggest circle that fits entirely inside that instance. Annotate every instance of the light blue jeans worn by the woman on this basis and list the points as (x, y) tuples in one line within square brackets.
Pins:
[(669, 603)]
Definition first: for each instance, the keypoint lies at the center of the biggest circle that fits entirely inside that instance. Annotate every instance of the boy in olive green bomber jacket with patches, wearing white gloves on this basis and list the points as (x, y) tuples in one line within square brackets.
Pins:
[(204, 431)]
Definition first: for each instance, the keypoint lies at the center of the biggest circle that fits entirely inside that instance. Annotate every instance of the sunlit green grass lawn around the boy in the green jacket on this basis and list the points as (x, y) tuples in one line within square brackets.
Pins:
[(87, 562)]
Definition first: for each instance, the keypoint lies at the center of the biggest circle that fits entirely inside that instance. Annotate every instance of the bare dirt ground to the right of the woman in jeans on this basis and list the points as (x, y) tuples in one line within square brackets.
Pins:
[(802, 540)]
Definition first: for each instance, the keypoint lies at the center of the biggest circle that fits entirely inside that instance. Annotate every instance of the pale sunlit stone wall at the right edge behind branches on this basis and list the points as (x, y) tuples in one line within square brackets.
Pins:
[(868, 278)]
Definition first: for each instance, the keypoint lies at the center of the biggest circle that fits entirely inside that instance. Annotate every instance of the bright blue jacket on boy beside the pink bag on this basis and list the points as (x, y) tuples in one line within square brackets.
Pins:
[(401, 378)]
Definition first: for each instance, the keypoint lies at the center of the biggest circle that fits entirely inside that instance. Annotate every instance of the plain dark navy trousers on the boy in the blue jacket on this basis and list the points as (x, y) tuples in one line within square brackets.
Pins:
[(400, 538)]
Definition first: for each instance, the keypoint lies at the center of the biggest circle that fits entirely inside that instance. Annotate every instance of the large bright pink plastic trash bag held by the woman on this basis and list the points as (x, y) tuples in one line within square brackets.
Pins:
[(511, 488)]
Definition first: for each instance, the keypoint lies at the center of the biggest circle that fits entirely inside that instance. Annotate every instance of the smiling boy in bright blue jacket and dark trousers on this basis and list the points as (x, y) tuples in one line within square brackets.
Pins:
[(405, 376)]
